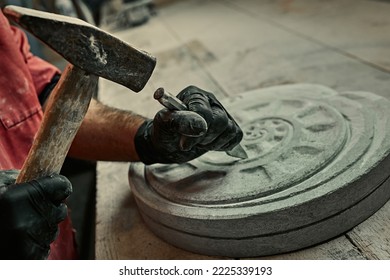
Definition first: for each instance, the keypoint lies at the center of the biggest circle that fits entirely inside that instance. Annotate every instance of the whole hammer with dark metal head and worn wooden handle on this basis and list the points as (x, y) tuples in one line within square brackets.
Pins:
[(91, 52)]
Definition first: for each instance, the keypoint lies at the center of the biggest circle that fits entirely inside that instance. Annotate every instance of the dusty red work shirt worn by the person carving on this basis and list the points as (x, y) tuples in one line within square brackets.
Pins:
[(22, 77)]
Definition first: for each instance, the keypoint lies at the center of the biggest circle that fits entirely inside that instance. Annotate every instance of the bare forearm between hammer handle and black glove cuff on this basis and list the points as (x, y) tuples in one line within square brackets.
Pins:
[(107, 134)]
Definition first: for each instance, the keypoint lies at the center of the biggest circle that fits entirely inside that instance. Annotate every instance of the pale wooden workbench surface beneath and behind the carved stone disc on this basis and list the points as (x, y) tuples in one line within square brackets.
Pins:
[(230, 47)]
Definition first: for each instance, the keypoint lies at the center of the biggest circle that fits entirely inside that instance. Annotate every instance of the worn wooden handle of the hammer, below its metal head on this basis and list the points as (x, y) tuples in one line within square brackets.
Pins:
[(64, 112)]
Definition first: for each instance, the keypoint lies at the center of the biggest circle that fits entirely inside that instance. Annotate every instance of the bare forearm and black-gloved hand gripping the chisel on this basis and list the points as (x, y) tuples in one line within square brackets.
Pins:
[(171, 137)]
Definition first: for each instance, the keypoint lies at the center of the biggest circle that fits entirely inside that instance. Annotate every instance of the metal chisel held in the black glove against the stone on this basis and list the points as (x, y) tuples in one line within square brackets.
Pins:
[(171, 102)]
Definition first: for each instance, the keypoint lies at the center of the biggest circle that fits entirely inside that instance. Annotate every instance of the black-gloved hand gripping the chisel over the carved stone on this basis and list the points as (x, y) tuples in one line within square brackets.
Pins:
[(180, 136)]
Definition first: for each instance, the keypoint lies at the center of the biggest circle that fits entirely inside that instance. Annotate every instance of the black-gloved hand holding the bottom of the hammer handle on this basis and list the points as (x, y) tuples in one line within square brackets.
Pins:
[(29, 214)]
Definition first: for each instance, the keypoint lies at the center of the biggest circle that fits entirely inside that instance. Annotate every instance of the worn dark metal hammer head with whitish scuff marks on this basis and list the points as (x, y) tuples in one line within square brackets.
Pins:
[(87, 47)]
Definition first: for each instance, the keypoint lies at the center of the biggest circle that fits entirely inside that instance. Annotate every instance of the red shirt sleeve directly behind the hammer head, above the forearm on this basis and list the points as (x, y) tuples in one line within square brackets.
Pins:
[(41, 71)]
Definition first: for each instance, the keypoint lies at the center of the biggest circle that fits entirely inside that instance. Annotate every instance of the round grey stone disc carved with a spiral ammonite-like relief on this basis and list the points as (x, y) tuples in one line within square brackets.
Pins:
[(317, 166)]
